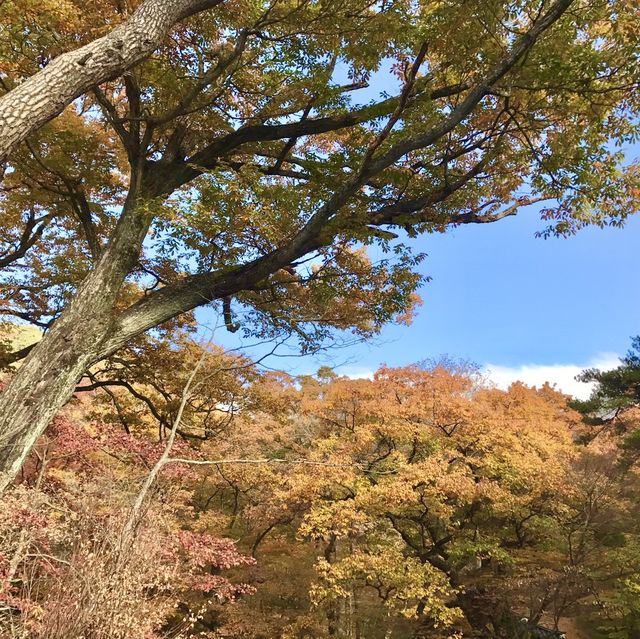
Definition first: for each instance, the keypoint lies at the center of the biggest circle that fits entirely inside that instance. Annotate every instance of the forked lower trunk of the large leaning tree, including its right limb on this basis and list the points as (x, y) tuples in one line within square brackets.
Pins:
[(88, 330)]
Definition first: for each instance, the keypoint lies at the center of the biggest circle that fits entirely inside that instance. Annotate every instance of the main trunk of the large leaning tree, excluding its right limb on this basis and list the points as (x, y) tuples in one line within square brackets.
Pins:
[(48, 376)]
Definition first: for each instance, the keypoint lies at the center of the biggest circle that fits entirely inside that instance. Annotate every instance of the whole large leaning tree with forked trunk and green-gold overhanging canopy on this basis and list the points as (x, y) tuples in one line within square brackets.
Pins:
[(234, 167)]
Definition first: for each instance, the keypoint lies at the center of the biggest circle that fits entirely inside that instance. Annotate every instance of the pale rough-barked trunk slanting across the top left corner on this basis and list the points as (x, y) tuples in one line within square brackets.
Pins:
[(40, 98)]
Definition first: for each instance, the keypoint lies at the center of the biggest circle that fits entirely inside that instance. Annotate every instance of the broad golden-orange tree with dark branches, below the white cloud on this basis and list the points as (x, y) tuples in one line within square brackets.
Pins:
[(438, 498)]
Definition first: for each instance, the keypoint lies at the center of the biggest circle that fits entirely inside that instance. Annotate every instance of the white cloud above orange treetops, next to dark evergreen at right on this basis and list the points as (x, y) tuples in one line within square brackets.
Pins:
[(562, 375)]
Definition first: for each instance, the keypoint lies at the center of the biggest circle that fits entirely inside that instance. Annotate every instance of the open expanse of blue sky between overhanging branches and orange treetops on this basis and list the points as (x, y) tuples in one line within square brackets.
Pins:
[(501, 295)]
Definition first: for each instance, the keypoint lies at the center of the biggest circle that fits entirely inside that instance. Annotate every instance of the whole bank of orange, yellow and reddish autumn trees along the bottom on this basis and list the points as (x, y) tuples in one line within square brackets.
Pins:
[(421, 502)]
